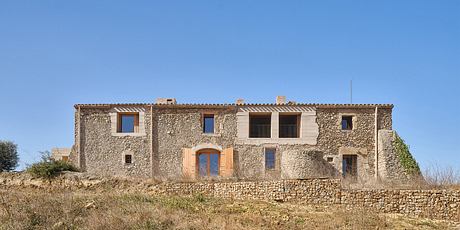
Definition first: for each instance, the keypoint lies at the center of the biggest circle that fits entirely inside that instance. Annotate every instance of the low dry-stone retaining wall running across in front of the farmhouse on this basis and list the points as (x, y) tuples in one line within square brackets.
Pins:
[(436, 204)]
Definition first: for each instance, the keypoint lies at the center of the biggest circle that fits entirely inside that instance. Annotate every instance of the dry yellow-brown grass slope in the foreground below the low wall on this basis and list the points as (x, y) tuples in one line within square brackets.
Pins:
[(36, 209)]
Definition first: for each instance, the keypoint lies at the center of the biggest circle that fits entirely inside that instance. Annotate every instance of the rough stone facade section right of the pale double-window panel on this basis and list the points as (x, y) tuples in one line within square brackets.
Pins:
[(359, 141)]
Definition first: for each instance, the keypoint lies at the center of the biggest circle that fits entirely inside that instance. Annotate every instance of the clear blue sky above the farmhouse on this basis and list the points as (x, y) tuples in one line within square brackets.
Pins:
[(54, 54)]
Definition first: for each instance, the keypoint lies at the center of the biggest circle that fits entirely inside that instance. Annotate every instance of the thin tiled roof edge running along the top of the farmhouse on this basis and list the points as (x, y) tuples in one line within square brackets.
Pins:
[(198, 105)]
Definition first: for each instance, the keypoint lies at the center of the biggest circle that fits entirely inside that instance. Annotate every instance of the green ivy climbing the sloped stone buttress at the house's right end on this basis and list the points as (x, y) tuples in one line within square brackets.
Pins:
[(406, 159)]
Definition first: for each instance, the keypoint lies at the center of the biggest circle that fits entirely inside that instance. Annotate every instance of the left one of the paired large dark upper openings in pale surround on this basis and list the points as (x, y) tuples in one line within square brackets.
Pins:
[(260, 125)]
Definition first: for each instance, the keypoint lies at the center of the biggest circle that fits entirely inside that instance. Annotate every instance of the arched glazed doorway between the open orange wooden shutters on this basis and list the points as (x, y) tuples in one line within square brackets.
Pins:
[(208, 163)]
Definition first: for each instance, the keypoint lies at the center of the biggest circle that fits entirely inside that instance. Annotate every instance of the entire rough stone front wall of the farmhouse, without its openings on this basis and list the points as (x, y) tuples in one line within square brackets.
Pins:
[(159, 152)]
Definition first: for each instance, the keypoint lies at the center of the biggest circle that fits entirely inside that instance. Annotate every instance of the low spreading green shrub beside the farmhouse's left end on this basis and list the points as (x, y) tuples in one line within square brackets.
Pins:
[(49, 168)]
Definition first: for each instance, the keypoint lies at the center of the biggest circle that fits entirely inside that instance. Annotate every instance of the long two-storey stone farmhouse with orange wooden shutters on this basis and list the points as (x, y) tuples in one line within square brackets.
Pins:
[(242, 141)]
